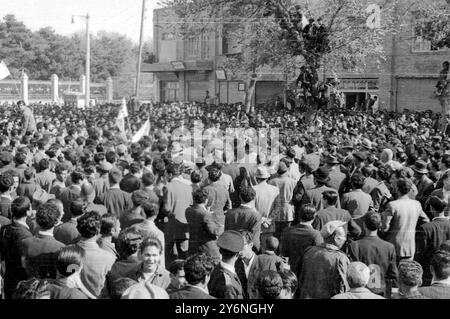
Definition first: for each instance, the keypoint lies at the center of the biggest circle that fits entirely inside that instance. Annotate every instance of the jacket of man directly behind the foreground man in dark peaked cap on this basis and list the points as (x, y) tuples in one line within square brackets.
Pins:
[(245, 218)]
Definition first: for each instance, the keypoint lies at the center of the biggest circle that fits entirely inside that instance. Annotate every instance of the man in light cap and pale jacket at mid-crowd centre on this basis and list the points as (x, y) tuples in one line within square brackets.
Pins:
[(264, 199)]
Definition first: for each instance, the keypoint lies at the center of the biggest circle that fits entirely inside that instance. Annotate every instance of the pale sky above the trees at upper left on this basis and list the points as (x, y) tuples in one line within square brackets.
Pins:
[(122, 16)]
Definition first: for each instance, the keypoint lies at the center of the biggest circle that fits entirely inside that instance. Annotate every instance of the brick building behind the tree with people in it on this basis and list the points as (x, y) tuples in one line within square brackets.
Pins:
[(187, 69)]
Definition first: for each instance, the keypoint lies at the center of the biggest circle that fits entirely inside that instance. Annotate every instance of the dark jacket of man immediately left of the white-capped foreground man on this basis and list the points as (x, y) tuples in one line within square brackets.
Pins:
[(295, 240)]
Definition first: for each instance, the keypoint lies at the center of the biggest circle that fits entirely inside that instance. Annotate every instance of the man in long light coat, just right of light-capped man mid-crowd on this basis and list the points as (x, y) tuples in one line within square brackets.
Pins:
[(283, 210)]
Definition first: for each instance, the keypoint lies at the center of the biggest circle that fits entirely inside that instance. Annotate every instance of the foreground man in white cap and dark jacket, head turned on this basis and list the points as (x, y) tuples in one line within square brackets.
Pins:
[(322, 271)]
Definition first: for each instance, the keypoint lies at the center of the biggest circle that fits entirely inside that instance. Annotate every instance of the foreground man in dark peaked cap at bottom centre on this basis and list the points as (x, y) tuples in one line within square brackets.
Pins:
[(224, 282)]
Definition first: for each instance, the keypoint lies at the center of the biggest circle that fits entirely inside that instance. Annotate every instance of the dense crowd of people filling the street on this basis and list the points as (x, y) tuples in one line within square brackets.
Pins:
[(353, 205)]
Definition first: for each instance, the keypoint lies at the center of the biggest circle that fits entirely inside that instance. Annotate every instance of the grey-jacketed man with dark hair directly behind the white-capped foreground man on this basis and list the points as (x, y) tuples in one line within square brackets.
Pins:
[(331, 212)]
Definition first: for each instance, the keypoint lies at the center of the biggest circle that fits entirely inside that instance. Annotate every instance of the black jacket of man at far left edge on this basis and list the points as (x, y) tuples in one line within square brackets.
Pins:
[(10, 239)]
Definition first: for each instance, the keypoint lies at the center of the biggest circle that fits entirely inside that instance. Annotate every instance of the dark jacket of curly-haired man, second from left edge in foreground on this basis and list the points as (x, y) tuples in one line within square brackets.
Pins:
[(40, 252)]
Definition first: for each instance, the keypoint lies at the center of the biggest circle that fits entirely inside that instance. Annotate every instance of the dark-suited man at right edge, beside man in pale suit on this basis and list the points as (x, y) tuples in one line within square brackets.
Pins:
[(430, 236)]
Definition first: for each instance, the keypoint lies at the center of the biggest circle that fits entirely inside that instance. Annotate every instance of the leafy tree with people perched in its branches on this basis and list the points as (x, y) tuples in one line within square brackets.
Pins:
[(269, 37)]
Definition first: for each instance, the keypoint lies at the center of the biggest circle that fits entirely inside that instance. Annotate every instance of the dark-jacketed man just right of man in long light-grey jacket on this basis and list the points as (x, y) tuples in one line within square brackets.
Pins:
[(203, 227)]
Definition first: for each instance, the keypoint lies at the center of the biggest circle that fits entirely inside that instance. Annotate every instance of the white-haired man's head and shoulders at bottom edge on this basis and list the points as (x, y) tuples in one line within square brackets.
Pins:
[(358, 276)]
